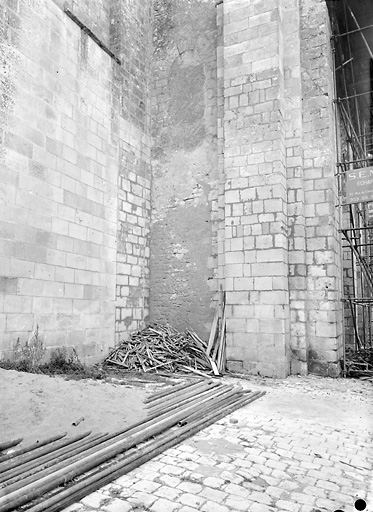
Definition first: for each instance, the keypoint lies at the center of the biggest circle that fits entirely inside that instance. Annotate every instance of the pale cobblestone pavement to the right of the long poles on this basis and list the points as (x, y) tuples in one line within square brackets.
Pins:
[(304, 447)]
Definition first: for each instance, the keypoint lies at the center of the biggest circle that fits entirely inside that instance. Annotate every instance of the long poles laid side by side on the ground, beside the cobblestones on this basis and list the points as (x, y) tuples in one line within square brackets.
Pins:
[(54, 473)]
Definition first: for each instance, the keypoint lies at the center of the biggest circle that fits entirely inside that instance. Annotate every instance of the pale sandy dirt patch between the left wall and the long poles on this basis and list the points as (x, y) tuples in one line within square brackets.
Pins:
[(38, 406)]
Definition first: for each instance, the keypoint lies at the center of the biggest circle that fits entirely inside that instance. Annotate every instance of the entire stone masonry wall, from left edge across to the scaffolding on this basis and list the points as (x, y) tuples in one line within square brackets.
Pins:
[(199, 154)]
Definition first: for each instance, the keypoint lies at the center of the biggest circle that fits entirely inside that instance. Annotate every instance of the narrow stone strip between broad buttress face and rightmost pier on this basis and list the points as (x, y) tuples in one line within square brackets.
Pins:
[(295, 188)]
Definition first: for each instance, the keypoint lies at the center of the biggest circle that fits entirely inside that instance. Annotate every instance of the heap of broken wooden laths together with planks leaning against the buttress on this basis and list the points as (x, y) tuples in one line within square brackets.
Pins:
[(161, 348)]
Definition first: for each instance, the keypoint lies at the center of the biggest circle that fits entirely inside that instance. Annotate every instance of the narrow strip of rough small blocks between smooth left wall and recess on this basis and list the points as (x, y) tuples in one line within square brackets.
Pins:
[(130, 35)]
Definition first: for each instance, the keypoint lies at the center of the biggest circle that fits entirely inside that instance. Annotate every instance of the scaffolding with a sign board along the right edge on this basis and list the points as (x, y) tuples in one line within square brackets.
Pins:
[(352, 46)]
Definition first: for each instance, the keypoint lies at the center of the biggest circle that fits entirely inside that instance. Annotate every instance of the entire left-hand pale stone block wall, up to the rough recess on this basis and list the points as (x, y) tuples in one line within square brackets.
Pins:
[(64, 146)]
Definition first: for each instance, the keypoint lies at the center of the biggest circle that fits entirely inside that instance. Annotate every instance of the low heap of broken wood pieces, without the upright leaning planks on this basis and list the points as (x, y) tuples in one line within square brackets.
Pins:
[(161, 348)]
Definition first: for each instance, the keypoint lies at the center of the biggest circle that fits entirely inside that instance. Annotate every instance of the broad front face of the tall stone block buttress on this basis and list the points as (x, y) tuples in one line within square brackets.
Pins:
[(256, 252)]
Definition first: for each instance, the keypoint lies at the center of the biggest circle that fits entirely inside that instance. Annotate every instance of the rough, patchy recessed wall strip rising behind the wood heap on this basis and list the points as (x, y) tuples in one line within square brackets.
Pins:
[(184, 164)]
